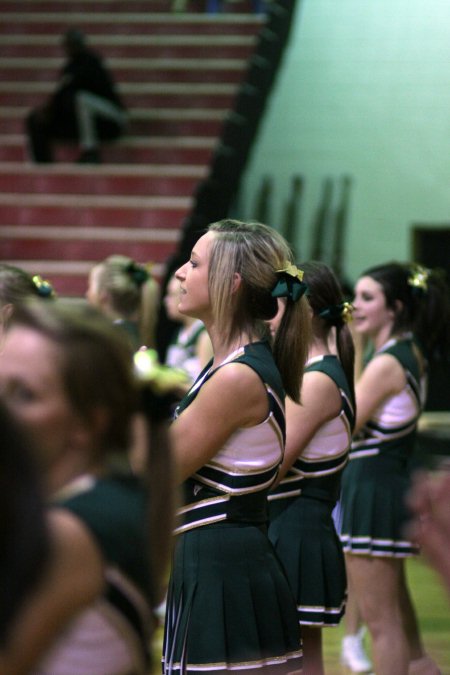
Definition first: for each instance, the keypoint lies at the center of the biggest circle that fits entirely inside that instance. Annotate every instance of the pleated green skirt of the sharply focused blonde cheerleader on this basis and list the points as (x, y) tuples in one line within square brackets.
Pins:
[(229, 605)]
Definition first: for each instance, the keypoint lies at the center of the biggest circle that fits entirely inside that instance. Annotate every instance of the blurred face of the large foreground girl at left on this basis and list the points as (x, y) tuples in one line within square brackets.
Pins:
[(32, 388)]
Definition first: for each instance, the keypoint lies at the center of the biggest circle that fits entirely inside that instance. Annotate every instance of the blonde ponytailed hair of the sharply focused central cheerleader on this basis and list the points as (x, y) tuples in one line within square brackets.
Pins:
[(256, 251)]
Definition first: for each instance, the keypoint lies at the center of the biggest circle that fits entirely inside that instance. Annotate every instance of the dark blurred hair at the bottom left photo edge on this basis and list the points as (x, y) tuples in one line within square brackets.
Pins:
[(23, 531)]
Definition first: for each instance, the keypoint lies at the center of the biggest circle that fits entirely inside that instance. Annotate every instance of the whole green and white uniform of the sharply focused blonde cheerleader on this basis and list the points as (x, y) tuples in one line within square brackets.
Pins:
[(229, 604)]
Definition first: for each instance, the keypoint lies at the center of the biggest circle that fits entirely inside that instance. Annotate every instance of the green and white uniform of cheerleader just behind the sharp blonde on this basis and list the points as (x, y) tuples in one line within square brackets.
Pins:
[(301, 524)]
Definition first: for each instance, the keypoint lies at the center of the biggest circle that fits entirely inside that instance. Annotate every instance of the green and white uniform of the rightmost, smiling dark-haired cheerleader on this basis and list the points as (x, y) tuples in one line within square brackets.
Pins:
[(377, 478)]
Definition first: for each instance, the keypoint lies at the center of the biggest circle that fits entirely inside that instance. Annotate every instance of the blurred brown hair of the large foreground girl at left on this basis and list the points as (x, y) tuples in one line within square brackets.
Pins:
[(96, 363)]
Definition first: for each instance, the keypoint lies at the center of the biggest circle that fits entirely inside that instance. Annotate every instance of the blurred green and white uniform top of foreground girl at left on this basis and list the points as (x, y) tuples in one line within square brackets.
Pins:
[(112, 636)]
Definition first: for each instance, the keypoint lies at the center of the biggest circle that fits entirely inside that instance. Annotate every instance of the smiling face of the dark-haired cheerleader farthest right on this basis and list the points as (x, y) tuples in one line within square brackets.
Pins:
[(370, 313)]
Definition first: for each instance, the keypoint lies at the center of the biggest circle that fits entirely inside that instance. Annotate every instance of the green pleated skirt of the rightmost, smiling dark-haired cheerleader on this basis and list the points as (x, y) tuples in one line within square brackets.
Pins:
[(374, 510)]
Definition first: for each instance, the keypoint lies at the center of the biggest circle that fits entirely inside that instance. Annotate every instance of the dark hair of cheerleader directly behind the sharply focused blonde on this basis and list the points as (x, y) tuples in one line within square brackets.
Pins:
[(327, 303)]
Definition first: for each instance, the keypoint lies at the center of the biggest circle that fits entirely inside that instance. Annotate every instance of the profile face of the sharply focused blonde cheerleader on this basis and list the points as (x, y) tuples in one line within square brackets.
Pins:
[(193, 279)]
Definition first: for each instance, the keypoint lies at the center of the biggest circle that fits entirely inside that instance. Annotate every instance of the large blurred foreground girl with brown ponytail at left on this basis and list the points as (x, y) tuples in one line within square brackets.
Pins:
[(67, 377)]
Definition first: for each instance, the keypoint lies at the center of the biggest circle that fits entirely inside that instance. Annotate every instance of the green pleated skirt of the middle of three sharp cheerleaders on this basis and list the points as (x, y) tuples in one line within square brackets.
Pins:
[(304, 536)]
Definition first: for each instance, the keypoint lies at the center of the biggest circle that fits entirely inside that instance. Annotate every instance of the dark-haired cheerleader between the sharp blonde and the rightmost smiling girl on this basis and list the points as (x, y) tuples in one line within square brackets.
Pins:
[(318, 440)]
